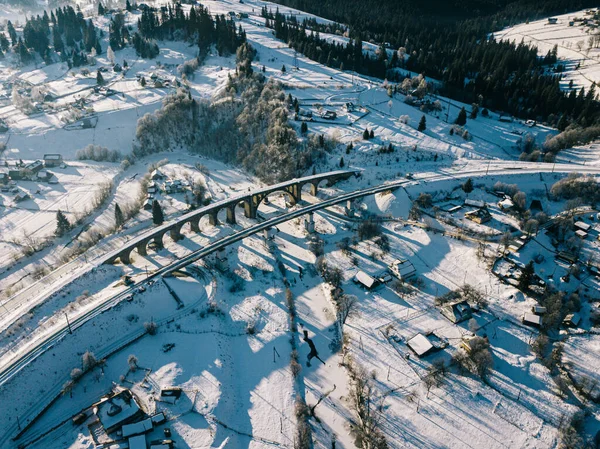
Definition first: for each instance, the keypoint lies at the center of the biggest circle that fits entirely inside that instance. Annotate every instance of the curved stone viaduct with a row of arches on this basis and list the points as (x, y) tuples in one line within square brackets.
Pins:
[(250, 202)]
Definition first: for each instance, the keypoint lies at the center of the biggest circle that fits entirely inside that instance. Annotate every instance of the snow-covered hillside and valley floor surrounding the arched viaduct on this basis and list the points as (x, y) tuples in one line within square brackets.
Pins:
[(231, 337)]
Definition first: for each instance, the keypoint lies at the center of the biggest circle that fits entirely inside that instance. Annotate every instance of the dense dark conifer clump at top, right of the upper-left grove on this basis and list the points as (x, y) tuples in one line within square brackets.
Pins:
[(173, 24)]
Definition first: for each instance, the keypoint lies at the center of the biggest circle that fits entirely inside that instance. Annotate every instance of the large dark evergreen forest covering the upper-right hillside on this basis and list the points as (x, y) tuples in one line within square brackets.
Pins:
[(446, 40)]
